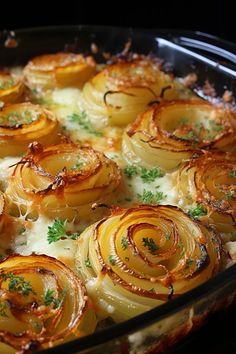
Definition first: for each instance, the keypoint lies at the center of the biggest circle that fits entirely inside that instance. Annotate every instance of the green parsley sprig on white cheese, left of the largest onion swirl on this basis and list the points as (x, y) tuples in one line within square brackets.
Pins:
[(58, 232)]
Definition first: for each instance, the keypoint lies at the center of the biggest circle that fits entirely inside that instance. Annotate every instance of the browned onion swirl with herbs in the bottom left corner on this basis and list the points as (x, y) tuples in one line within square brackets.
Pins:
[(42, 303)]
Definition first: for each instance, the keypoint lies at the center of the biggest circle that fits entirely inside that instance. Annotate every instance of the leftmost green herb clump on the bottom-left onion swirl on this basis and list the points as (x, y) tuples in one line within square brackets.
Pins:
[(17, 284)]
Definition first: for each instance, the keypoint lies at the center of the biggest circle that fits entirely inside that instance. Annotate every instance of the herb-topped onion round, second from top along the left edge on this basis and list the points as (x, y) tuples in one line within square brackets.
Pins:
[(22, 123)]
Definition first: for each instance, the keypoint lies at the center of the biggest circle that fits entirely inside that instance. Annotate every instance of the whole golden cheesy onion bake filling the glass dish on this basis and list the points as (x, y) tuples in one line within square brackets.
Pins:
[(117, 194)]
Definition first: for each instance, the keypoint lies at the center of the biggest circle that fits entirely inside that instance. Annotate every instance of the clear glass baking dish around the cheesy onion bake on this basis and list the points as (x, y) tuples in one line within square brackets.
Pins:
[(211, 58)]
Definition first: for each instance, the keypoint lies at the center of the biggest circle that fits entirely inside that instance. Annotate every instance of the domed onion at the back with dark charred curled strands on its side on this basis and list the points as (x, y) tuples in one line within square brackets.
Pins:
[(122, 90)]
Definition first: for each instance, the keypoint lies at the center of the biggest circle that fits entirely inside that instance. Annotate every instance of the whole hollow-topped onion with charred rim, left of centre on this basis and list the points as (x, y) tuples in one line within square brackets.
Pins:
[(61, 179)]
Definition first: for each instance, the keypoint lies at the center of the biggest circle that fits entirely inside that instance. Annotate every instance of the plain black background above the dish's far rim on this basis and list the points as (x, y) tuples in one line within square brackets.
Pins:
[(214, 17)]
